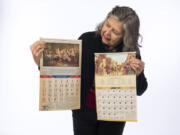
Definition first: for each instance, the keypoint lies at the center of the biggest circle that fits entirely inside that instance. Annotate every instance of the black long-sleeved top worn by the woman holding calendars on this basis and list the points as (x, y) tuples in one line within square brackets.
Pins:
[(92, 43)]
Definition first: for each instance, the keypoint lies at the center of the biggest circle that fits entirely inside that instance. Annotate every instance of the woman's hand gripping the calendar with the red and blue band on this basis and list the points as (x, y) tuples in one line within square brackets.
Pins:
[(37, 48)]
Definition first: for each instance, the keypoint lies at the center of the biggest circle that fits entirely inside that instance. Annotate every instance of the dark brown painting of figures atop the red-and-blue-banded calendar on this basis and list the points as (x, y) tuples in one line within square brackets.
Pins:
[(61, 55)]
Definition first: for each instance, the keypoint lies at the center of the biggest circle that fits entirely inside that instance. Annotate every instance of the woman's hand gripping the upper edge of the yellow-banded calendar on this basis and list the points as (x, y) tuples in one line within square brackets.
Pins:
[(137, 65)]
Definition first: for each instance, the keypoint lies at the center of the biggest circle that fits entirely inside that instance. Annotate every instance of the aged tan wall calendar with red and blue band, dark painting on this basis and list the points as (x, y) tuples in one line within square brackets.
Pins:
[(60, 75)]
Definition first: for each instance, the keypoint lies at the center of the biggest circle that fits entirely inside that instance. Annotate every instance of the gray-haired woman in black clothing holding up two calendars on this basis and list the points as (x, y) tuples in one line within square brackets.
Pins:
[(119, 32)]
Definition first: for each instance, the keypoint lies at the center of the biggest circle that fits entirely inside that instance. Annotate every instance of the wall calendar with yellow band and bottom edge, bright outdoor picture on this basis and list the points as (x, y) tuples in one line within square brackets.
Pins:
[(115, 84)]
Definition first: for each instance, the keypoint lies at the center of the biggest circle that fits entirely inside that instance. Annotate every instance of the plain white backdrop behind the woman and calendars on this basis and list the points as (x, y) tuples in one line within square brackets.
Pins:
[(22, 22)]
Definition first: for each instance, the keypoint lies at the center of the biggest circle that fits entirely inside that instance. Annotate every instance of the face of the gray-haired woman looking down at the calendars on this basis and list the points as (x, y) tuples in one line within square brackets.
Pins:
[(112, 32)]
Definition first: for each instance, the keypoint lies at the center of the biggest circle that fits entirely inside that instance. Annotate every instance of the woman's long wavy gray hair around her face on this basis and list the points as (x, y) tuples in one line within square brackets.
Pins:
[(130, 27)]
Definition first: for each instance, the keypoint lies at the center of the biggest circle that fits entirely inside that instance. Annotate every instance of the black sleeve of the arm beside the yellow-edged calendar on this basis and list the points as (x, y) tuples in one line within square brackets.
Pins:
[(141, 81)]
